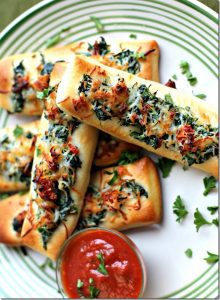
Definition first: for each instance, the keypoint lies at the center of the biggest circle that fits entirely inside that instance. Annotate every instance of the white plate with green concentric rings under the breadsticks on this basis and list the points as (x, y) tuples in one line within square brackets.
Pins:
[(185, 30)]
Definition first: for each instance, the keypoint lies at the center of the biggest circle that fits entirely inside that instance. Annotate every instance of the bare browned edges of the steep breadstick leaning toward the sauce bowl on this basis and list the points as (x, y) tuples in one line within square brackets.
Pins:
[(85, 138)]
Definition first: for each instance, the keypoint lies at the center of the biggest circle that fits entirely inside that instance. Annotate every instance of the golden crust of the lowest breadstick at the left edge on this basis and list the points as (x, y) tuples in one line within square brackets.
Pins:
[(9, 209)]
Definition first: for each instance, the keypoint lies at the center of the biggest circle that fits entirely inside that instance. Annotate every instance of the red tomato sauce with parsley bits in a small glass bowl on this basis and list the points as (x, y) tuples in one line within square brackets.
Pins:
[(79, 261)]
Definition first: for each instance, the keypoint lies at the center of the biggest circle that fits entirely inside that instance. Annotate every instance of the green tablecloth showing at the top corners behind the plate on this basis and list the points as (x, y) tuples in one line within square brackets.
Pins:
[(10, 9)]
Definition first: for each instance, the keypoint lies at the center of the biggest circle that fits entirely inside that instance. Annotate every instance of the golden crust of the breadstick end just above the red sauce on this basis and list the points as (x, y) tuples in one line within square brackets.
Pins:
[(132, 212)]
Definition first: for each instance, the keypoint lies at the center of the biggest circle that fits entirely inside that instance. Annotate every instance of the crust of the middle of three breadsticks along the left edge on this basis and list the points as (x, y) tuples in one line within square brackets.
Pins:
[(22, 149)]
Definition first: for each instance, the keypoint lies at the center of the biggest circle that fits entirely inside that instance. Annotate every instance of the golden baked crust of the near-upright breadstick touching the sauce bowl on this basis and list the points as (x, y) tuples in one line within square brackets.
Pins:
[(85, 139)]
